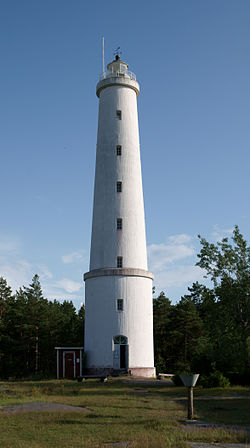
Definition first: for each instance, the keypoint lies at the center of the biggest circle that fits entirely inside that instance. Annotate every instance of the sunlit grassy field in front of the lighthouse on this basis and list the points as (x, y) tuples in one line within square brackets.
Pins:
[(145, 415)]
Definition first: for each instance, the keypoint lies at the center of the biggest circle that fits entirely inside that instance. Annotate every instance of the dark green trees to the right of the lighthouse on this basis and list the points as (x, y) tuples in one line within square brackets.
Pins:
[(209, 327)]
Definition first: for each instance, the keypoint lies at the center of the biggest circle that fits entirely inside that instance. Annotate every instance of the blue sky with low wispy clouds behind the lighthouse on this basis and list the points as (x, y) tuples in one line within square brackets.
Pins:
[(191, 58)]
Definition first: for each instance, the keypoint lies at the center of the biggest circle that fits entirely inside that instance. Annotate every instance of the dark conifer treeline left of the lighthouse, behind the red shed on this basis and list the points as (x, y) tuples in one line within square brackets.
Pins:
[(30, 329)]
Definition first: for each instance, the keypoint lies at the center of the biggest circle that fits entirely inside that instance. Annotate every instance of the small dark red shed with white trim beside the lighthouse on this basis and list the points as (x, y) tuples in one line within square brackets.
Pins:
[(68, 362)]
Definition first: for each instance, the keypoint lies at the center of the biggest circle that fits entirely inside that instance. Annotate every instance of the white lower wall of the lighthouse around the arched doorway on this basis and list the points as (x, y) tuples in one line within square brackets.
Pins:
[(104, 321)]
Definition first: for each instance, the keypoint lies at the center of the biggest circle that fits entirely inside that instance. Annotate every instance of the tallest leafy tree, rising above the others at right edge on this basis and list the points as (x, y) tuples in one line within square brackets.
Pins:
[(228, 266)]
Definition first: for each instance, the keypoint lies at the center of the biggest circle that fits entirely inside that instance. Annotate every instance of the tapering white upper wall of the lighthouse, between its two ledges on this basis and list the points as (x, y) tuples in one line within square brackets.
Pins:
[(107, 243)]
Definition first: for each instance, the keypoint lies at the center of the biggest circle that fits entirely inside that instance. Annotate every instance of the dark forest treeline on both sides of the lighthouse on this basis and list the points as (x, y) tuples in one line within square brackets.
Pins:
[(207, 329)]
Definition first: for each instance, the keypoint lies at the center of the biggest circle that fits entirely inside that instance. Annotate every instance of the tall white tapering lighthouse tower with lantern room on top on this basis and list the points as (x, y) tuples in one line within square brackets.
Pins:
[(119, 316)]
